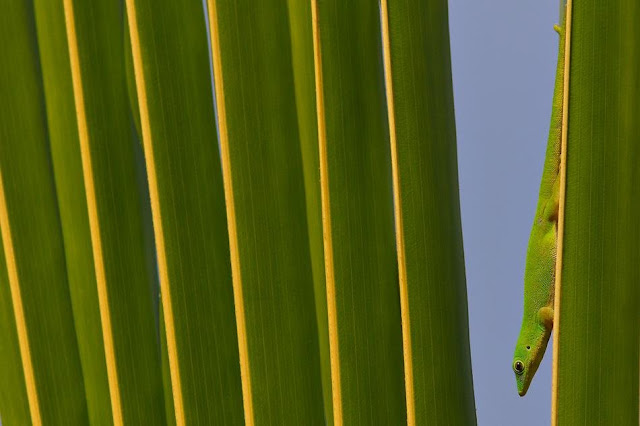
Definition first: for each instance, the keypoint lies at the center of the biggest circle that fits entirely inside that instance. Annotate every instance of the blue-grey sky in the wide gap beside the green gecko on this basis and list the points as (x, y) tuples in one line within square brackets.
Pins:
[(503, 57)]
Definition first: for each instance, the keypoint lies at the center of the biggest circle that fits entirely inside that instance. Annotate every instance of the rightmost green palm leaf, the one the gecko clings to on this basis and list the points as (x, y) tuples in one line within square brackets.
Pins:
[(597, 324)]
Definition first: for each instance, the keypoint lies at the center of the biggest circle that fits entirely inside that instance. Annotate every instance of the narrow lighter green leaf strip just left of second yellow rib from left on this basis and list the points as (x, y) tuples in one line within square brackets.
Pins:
[(65, 152)]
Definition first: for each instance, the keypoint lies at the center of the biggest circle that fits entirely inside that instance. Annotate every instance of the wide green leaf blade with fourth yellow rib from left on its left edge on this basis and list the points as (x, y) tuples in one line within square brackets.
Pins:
[(265, 197)]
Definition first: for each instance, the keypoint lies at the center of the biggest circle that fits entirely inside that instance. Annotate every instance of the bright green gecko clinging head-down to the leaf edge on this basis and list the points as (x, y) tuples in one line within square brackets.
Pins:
[(539, 279)]
